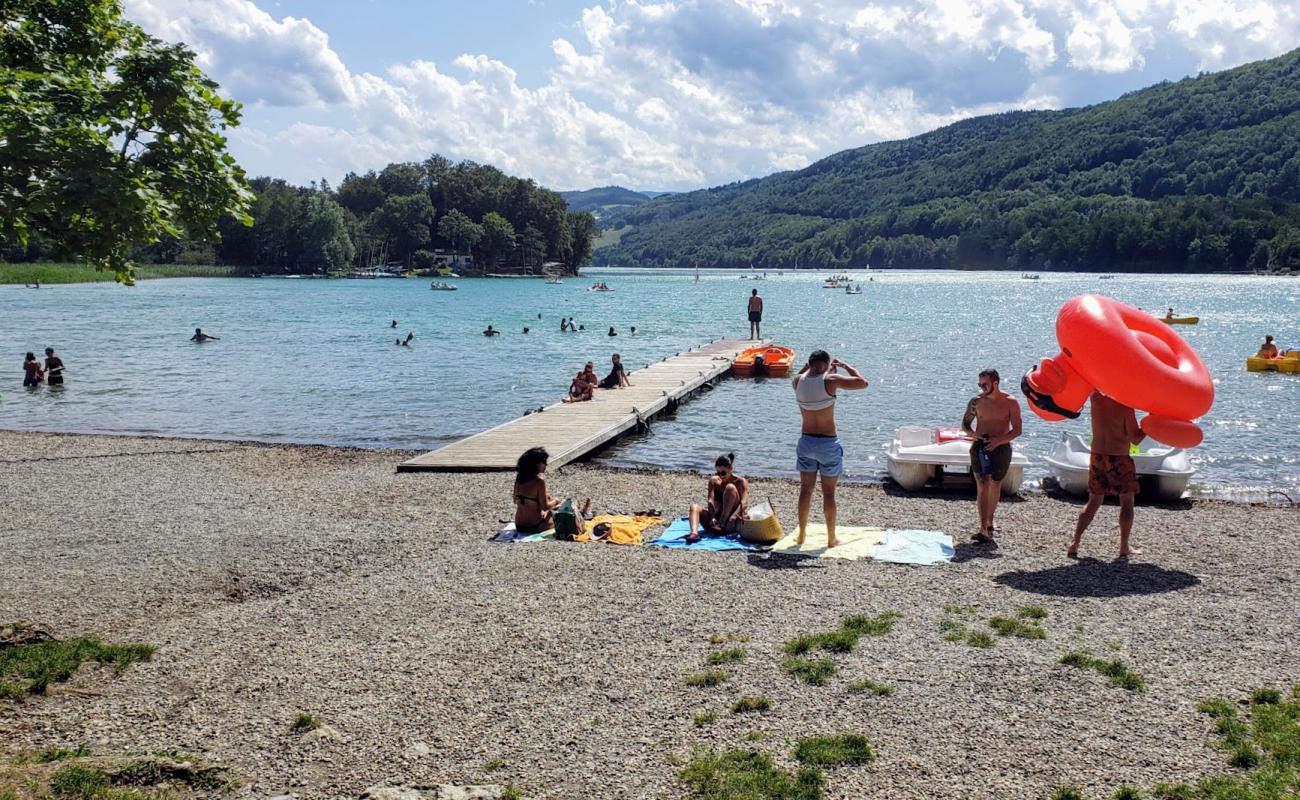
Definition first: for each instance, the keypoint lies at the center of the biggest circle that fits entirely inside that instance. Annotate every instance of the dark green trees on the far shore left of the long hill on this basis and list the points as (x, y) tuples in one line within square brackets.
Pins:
[(400, 215)]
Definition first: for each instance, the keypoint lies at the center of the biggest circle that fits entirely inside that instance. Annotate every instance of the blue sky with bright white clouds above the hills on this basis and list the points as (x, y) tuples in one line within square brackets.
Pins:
[(673, 94)]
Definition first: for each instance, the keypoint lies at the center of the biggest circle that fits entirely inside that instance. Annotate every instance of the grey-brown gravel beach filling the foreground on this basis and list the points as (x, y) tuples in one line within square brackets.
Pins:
[(285, 580)]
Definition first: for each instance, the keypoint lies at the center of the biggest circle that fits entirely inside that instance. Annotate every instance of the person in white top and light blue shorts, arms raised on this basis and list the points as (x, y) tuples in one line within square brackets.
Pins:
[(820, 451)]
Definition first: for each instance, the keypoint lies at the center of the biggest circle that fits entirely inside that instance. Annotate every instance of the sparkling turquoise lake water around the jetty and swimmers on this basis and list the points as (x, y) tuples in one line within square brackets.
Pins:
[(314, 361)]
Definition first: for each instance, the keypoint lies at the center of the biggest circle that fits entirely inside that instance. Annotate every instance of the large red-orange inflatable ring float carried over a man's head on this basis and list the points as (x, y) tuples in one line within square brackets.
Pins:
[(1129, 356)]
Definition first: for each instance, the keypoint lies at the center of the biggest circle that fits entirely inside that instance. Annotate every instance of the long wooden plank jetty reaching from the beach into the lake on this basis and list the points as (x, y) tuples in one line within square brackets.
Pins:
[(571, 431)]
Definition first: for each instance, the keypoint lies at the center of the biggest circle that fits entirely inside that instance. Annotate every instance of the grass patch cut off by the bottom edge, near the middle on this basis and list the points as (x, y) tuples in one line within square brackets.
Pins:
[(740, 775)]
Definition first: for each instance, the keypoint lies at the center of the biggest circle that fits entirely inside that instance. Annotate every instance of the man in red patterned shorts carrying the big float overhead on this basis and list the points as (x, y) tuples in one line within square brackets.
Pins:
[(1112, 470)]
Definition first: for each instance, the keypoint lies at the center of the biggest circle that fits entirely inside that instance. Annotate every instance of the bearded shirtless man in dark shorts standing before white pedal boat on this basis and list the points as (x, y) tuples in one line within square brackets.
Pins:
[(994, 420)]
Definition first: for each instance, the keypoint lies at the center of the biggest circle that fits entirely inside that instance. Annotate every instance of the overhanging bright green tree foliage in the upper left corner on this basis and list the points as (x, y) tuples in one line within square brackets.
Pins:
[(110, 139)]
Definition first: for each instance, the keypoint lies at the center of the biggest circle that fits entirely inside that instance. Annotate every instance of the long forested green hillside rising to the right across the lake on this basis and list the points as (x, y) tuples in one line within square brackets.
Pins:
[(1193, 176)]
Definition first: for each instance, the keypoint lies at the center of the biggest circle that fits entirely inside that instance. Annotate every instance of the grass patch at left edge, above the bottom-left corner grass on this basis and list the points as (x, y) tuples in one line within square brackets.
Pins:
[(45, 663)]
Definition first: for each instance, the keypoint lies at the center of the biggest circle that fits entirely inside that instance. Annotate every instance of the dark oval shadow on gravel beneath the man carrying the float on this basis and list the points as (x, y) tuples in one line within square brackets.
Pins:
[(1093, 578)]
